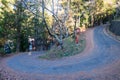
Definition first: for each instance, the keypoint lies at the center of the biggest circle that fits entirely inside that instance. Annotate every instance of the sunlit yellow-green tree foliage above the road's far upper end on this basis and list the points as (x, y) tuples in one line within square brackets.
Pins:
[(91, 11)]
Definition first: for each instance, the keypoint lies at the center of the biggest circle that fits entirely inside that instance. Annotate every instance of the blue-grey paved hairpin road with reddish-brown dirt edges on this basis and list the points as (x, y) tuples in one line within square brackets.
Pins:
[(99, 61)]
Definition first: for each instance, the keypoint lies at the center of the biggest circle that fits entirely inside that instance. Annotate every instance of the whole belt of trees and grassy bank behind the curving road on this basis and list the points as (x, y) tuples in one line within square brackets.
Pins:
[(39, 22)]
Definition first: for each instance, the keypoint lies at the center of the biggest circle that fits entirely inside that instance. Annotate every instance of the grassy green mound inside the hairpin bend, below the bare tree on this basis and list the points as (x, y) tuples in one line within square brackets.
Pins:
[(70, 49)]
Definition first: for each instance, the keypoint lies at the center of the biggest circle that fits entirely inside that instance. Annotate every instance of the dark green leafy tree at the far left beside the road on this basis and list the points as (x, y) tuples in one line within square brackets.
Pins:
[(16, 24)]
